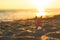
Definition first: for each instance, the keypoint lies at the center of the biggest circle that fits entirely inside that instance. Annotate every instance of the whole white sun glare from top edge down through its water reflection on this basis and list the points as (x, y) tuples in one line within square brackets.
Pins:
[(41, 5)]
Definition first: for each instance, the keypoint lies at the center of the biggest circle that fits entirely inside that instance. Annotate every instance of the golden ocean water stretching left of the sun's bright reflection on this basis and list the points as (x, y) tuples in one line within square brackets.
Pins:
[(13, 15)]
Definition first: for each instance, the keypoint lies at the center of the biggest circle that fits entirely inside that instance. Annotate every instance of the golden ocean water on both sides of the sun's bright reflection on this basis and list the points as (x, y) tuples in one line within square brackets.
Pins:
[(21, 14)]
